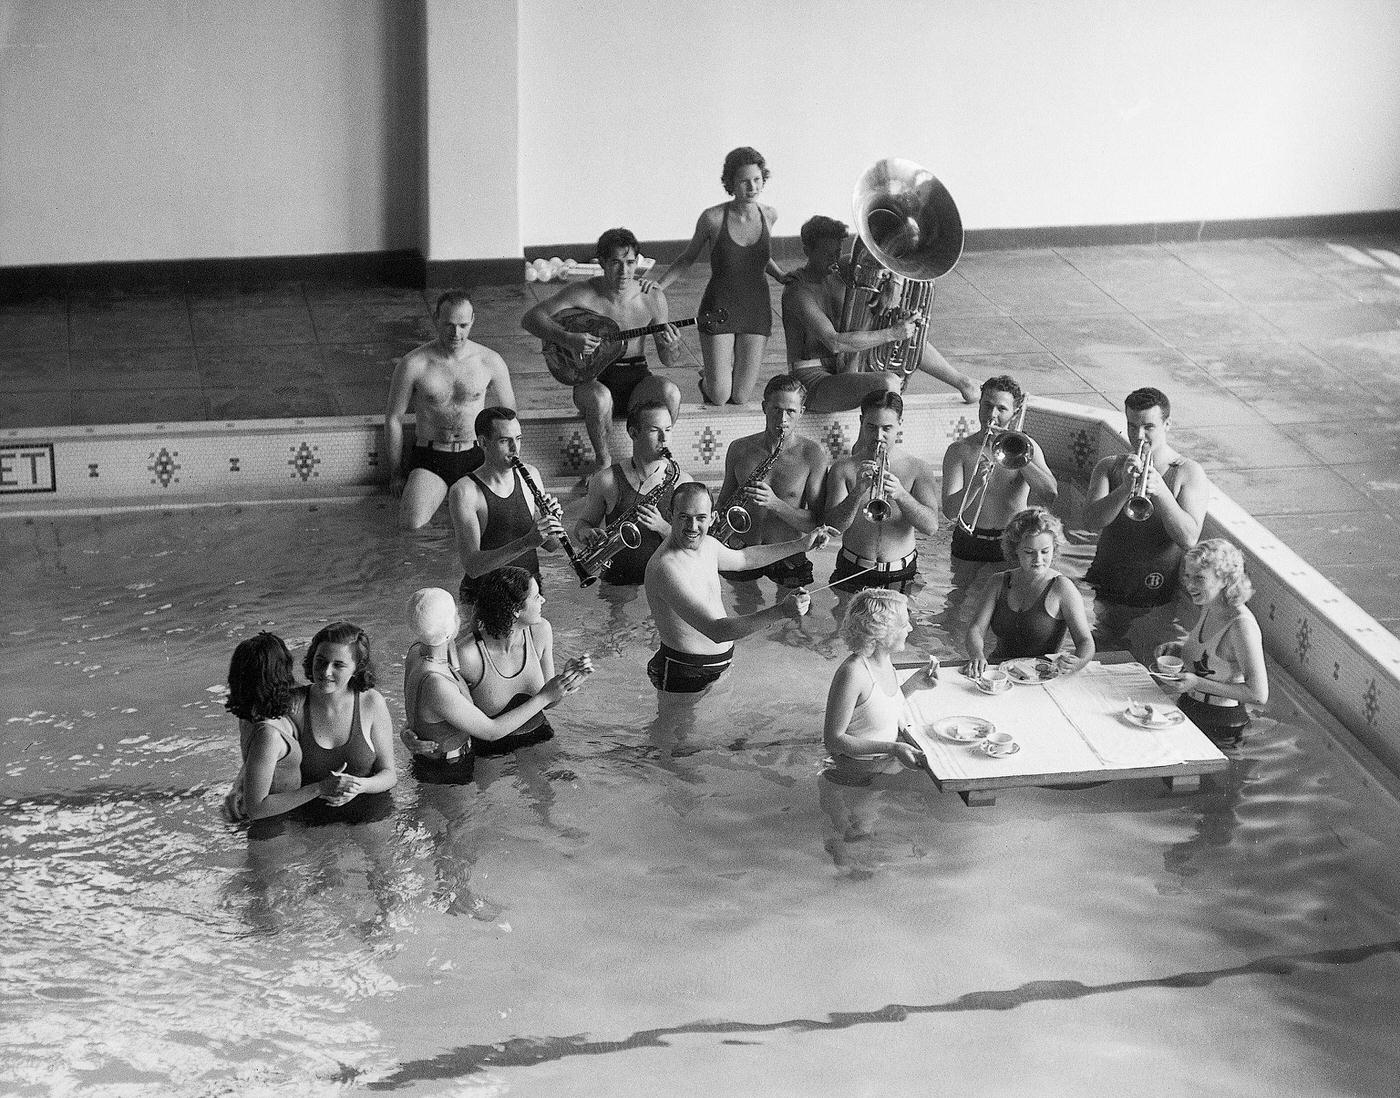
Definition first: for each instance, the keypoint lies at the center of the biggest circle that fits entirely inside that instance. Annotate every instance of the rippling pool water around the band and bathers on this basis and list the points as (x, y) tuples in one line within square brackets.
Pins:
[(656, 904)]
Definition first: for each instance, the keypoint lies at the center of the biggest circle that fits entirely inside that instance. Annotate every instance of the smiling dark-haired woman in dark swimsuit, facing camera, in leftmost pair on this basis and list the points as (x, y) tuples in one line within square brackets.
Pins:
[(348, 735)]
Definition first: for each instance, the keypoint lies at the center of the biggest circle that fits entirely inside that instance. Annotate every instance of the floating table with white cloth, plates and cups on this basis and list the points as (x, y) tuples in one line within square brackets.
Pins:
[(1070, 730)]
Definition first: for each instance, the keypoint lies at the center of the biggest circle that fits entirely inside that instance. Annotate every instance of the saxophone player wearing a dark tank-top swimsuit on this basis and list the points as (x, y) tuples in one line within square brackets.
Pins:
[(617, 492)]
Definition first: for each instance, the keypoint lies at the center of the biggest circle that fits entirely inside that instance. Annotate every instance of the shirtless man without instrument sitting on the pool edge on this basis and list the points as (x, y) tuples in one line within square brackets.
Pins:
[(446, 383)]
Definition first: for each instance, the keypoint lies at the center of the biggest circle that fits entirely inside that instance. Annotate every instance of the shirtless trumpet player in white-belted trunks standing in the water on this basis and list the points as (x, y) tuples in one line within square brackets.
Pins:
[(880, 554)]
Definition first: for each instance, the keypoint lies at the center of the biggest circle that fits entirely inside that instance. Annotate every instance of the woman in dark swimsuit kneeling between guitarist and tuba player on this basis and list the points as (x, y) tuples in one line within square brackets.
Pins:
[(738, 236)]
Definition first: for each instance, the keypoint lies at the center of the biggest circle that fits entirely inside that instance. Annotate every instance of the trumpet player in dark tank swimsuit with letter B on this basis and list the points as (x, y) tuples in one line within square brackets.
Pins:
[(1136, 565)]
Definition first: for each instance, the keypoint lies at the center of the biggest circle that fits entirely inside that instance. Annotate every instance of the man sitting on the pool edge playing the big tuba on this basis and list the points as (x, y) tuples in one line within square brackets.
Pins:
[(825, 359)]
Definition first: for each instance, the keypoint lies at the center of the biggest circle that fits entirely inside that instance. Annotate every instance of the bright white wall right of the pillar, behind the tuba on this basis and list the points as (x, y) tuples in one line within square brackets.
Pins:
[(1063, 113)]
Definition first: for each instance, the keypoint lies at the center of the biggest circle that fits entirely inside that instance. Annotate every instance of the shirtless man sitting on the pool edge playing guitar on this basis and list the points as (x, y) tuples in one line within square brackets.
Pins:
[(617, 295)]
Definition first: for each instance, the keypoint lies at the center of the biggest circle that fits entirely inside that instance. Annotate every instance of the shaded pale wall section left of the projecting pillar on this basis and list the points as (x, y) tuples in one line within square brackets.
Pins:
[(173, 130)]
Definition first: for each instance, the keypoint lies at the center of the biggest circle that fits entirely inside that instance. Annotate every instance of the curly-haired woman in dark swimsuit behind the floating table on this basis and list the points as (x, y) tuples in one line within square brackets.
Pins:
[(1032, 607)]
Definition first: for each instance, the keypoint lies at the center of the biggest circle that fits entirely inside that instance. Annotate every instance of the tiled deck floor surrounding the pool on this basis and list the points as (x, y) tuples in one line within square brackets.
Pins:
[(1282, 356)]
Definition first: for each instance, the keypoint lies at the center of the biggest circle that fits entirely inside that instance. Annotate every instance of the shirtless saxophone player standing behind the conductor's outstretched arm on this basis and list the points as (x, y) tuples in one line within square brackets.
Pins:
[(786, 501)]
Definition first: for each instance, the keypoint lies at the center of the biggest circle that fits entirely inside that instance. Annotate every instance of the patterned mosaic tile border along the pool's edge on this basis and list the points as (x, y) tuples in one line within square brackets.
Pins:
[(1333, 648)]
